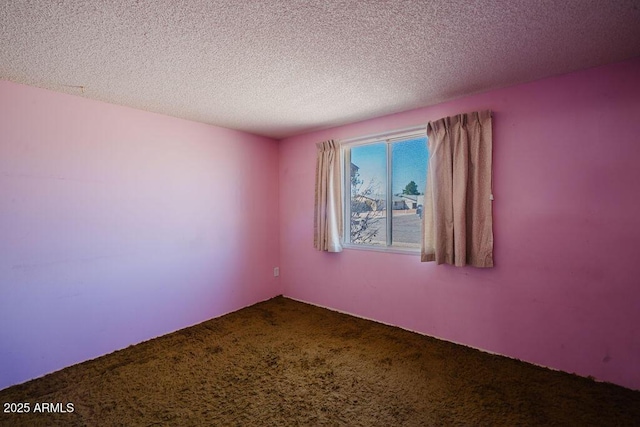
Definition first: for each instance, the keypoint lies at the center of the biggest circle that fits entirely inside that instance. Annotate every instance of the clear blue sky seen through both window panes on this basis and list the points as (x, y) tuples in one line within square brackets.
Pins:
[(409, 163)]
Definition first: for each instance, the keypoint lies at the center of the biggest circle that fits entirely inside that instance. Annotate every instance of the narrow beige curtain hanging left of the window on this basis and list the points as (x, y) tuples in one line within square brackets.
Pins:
[(328, 208)]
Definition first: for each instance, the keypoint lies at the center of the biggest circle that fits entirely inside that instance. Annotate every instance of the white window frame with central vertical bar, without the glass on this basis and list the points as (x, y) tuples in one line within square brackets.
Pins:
[(388, 138)]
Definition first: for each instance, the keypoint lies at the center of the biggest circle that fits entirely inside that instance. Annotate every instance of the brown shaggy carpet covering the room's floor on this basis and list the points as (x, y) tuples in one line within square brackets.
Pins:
[(282, 362)]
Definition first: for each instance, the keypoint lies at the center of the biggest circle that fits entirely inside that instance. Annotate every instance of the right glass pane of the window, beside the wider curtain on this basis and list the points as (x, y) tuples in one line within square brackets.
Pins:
[(409, 169)]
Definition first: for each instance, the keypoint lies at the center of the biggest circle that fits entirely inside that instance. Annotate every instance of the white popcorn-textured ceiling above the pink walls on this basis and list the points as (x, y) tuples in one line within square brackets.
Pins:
[(280, 68)]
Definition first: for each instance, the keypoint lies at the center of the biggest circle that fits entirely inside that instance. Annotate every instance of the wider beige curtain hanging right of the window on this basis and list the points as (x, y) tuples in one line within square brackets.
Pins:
[(457, 220)]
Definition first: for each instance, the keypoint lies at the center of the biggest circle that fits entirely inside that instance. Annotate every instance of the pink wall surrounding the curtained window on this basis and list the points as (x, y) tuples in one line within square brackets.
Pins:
[(565, 292)]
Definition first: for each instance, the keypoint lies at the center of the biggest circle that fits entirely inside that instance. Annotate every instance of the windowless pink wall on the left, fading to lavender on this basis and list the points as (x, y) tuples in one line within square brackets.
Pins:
[(118, 225)]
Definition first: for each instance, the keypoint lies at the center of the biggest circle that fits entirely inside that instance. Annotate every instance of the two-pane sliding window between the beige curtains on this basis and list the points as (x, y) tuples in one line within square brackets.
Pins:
[(385, 174)]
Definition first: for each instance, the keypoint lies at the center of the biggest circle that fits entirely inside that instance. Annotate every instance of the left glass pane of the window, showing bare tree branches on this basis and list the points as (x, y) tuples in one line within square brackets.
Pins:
[(368, 194)]
